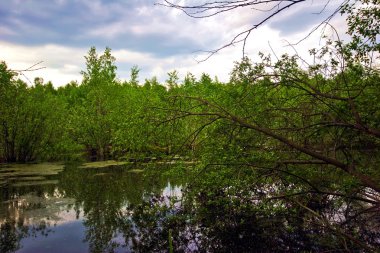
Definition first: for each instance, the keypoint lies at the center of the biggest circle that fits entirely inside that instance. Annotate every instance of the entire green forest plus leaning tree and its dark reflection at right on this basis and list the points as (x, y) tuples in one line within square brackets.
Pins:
[(286, 155)]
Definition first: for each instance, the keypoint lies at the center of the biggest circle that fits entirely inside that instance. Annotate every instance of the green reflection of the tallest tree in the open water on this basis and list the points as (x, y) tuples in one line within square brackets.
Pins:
[(105, 195)]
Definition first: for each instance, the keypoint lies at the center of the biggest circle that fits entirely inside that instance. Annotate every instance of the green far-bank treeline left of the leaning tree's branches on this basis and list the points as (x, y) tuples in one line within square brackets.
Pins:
[(100, 118)]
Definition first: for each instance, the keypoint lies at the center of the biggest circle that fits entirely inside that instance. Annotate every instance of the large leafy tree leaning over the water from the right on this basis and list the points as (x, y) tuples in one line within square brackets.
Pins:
[(301, 139)]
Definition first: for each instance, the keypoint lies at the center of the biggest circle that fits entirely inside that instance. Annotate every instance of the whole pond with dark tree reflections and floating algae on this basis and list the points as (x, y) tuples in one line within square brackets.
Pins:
[(120, 207)]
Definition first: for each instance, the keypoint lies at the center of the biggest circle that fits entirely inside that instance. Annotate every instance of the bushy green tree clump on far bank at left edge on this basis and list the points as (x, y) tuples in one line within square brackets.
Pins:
[(30, 119)]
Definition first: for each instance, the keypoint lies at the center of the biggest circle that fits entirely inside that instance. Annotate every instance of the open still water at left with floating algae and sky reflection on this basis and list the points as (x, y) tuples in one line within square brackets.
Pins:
[(75, 208)]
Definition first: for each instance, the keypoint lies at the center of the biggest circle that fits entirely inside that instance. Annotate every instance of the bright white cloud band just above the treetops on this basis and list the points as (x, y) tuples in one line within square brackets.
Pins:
[(63, 64)]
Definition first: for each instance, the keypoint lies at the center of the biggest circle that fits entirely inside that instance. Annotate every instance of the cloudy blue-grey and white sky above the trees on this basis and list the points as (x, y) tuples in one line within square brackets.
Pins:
[(59, 33)]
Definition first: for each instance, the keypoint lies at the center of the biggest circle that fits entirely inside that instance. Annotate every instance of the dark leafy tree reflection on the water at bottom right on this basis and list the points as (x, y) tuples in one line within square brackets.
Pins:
[(248, 216)]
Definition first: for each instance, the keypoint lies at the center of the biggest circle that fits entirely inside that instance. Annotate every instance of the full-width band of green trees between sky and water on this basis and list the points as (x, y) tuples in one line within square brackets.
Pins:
[(104, 118)]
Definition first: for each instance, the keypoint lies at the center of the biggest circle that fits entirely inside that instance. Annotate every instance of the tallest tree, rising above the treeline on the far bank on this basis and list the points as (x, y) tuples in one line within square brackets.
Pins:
[(92, 115)]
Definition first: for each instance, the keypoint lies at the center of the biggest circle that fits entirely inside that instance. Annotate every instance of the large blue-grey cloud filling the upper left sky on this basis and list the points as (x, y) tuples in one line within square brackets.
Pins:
[(135, 25)]
